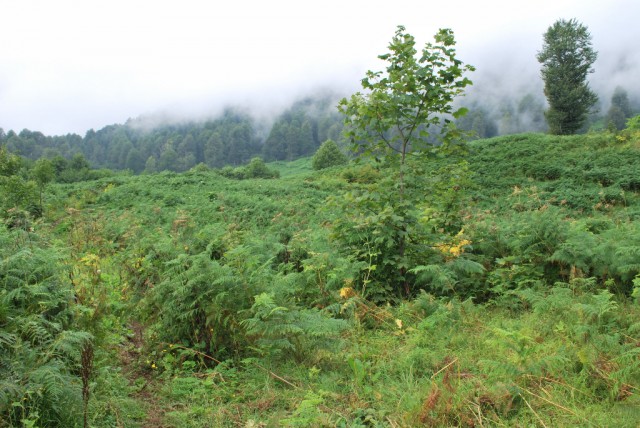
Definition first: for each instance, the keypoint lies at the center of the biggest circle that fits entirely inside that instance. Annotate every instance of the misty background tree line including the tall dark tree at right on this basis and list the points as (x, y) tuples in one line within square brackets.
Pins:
[(235, 136)]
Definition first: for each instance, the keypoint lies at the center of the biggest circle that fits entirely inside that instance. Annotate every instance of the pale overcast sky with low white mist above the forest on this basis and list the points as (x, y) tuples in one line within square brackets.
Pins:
[(68, 66)]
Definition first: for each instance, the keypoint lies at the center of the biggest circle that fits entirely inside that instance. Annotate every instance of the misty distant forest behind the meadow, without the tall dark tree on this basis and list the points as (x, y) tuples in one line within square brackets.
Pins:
[(235, 136)]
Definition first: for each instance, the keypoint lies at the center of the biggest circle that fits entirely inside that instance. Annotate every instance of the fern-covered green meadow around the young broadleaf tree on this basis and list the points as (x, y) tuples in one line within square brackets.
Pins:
[(209, 301)]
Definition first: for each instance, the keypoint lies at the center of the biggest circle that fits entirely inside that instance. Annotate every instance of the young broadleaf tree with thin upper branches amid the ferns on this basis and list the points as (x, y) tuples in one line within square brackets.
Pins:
[(393, 121)]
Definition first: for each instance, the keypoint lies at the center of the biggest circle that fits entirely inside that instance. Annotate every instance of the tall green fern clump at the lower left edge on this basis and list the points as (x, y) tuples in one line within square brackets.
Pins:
[(39, 349)]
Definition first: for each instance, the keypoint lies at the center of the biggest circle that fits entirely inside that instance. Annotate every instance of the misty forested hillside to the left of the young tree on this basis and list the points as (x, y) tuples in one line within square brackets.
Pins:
[(150, 144)]
